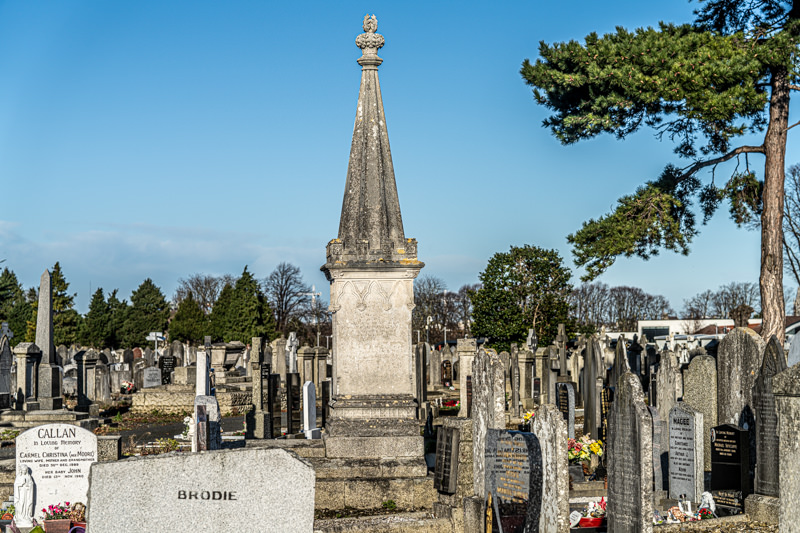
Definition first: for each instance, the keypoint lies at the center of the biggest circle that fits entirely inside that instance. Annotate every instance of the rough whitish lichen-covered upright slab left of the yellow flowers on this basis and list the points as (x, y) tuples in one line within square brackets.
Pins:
[(549, 427)]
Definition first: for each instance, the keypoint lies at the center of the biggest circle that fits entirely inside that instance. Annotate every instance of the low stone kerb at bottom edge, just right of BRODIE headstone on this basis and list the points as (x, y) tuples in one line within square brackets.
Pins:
[(399, 523)]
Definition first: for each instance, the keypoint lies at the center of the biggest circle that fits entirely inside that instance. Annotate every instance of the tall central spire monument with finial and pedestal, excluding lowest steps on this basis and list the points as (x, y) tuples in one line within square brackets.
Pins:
[(371, 267)]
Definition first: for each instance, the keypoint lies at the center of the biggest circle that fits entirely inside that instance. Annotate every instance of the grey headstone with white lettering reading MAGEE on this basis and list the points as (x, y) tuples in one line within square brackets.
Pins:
[(685, 453)]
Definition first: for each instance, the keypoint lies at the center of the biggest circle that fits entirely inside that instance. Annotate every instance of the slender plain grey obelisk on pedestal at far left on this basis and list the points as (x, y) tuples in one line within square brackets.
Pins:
[(49, 389)]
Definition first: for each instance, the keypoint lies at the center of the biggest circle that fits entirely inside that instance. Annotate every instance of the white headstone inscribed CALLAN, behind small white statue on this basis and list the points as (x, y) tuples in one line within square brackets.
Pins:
[(59, 457)]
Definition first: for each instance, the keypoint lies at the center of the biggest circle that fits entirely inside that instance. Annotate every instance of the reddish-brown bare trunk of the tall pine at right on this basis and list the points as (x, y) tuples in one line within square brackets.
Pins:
[(771, 279)]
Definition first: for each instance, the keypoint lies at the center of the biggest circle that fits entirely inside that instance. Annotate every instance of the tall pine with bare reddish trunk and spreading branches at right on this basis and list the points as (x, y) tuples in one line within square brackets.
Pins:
[(703, 86)]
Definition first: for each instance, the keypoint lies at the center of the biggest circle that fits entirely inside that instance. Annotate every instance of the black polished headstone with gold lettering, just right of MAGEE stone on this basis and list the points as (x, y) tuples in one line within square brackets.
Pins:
[(730, 468)]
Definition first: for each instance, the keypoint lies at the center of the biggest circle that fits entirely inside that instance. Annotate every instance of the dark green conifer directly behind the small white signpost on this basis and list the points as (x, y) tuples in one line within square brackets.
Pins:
[(149, 311)]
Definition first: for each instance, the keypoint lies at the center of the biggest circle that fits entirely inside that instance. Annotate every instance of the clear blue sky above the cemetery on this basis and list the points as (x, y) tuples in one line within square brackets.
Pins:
[(160, 139)]
